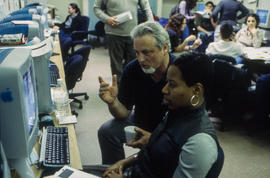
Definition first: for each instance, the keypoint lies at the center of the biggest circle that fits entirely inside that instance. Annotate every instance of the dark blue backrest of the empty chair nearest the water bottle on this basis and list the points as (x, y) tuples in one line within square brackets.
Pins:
[(75, 66)]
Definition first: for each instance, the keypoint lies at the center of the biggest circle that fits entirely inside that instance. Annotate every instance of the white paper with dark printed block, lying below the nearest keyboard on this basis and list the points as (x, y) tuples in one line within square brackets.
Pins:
[(68, 172)]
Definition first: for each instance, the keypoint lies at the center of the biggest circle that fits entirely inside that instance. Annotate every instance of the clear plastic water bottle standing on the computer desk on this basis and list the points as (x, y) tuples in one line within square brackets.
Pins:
[(60, 100)]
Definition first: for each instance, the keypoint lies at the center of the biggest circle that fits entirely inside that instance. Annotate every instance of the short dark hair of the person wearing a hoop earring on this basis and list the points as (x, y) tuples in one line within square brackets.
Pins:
[(196, 68)]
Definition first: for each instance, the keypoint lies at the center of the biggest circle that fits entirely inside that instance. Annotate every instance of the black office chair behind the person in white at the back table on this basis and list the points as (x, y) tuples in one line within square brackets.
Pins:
[(230, 97)]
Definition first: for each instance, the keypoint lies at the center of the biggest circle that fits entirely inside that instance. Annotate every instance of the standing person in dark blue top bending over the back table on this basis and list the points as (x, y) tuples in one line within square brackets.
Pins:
[(228, 10)]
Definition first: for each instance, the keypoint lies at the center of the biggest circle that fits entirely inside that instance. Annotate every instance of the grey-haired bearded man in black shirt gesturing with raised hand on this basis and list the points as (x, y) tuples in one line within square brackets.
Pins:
[(140, 87)]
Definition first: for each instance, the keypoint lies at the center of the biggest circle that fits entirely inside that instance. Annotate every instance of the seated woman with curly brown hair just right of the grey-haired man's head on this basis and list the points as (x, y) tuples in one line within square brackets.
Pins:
[(175, 26)]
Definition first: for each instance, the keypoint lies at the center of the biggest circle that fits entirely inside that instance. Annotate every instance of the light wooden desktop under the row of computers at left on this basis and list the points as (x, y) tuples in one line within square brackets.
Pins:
[(75, 159)]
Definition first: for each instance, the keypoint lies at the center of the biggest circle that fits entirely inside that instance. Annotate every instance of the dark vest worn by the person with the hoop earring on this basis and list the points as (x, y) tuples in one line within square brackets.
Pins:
[(160, 157)]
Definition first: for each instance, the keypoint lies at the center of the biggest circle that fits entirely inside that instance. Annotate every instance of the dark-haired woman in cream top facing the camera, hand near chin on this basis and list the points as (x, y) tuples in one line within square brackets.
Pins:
[(250, 36)]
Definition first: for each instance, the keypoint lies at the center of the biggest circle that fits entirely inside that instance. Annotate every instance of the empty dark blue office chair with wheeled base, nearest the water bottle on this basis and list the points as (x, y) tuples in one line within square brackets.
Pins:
[(74, 68)]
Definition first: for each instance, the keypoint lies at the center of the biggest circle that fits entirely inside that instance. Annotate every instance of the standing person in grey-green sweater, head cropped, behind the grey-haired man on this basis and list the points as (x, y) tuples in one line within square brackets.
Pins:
[(118, 38)]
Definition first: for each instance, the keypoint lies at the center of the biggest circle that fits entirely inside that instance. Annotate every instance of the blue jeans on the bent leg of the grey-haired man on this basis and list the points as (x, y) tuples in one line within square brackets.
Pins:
[(111, 137)]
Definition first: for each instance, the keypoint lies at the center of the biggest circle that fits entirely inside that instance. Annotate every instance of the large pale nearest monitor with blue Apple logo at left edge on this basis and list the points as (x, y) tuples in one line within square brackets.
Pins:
[(18, 108)]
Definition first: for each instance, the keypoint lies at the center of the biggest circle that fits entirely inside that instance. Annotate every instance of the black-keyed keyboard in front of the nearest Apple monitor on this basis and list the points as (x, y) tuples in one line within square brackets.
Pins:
[(55, 147)]
